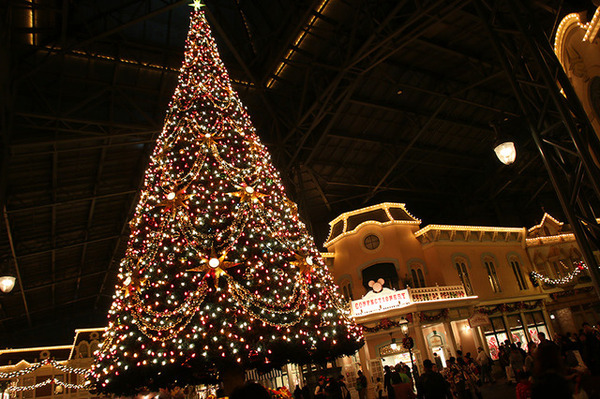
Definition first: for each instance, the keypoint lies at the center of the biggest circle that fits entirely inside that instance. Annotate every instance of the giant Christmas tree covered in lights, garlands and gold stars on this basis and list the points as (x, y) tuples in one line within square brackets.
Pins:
[(219, 270)]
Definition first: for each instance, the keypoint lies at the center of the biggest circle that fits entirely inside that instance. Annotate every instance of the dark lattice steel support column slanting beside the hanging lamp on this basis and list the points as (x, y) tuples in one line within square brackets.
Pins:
[(537, 78)]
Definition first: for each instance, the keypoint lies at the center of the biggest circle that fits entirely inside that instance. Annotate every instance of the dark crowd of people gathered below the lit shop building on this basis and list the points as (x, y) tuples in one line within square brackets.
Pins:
[(566, 367)]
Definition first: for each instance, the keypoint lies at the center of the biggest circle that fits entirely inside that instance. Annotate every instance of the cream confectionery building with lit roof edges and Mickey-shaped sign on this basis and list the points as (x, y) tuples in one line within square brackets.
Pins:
[(454, 287)]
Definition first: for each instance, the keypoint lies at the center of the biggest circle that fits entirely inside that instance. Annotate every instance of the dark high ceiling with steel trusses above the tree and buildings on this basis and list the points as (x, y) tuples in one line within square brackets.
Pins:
[(359, 102)]
